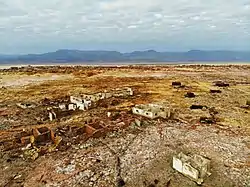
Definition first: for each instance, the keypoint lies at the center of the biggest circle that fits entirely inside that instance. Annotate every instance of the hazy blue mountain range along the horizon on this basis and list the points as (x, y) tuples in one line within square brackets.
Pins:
[(67, 56)]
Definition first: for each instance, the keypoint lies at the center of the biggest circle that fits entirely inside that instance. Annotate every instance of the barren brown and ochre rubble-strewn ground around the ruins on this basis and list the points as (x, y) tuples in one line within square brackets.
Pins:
[(127, 153)]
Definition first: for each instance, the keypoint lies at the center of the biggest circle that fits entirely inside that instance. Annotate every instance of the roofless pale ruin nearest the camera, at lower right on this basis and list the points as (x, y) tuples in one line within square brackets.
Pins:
[(195, 167)]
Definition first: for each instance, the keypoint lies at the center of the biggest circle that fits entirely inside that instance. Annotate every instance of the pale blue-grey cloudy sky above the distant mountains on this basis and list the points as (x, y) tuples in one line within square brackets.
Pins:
[(32, 26)]
